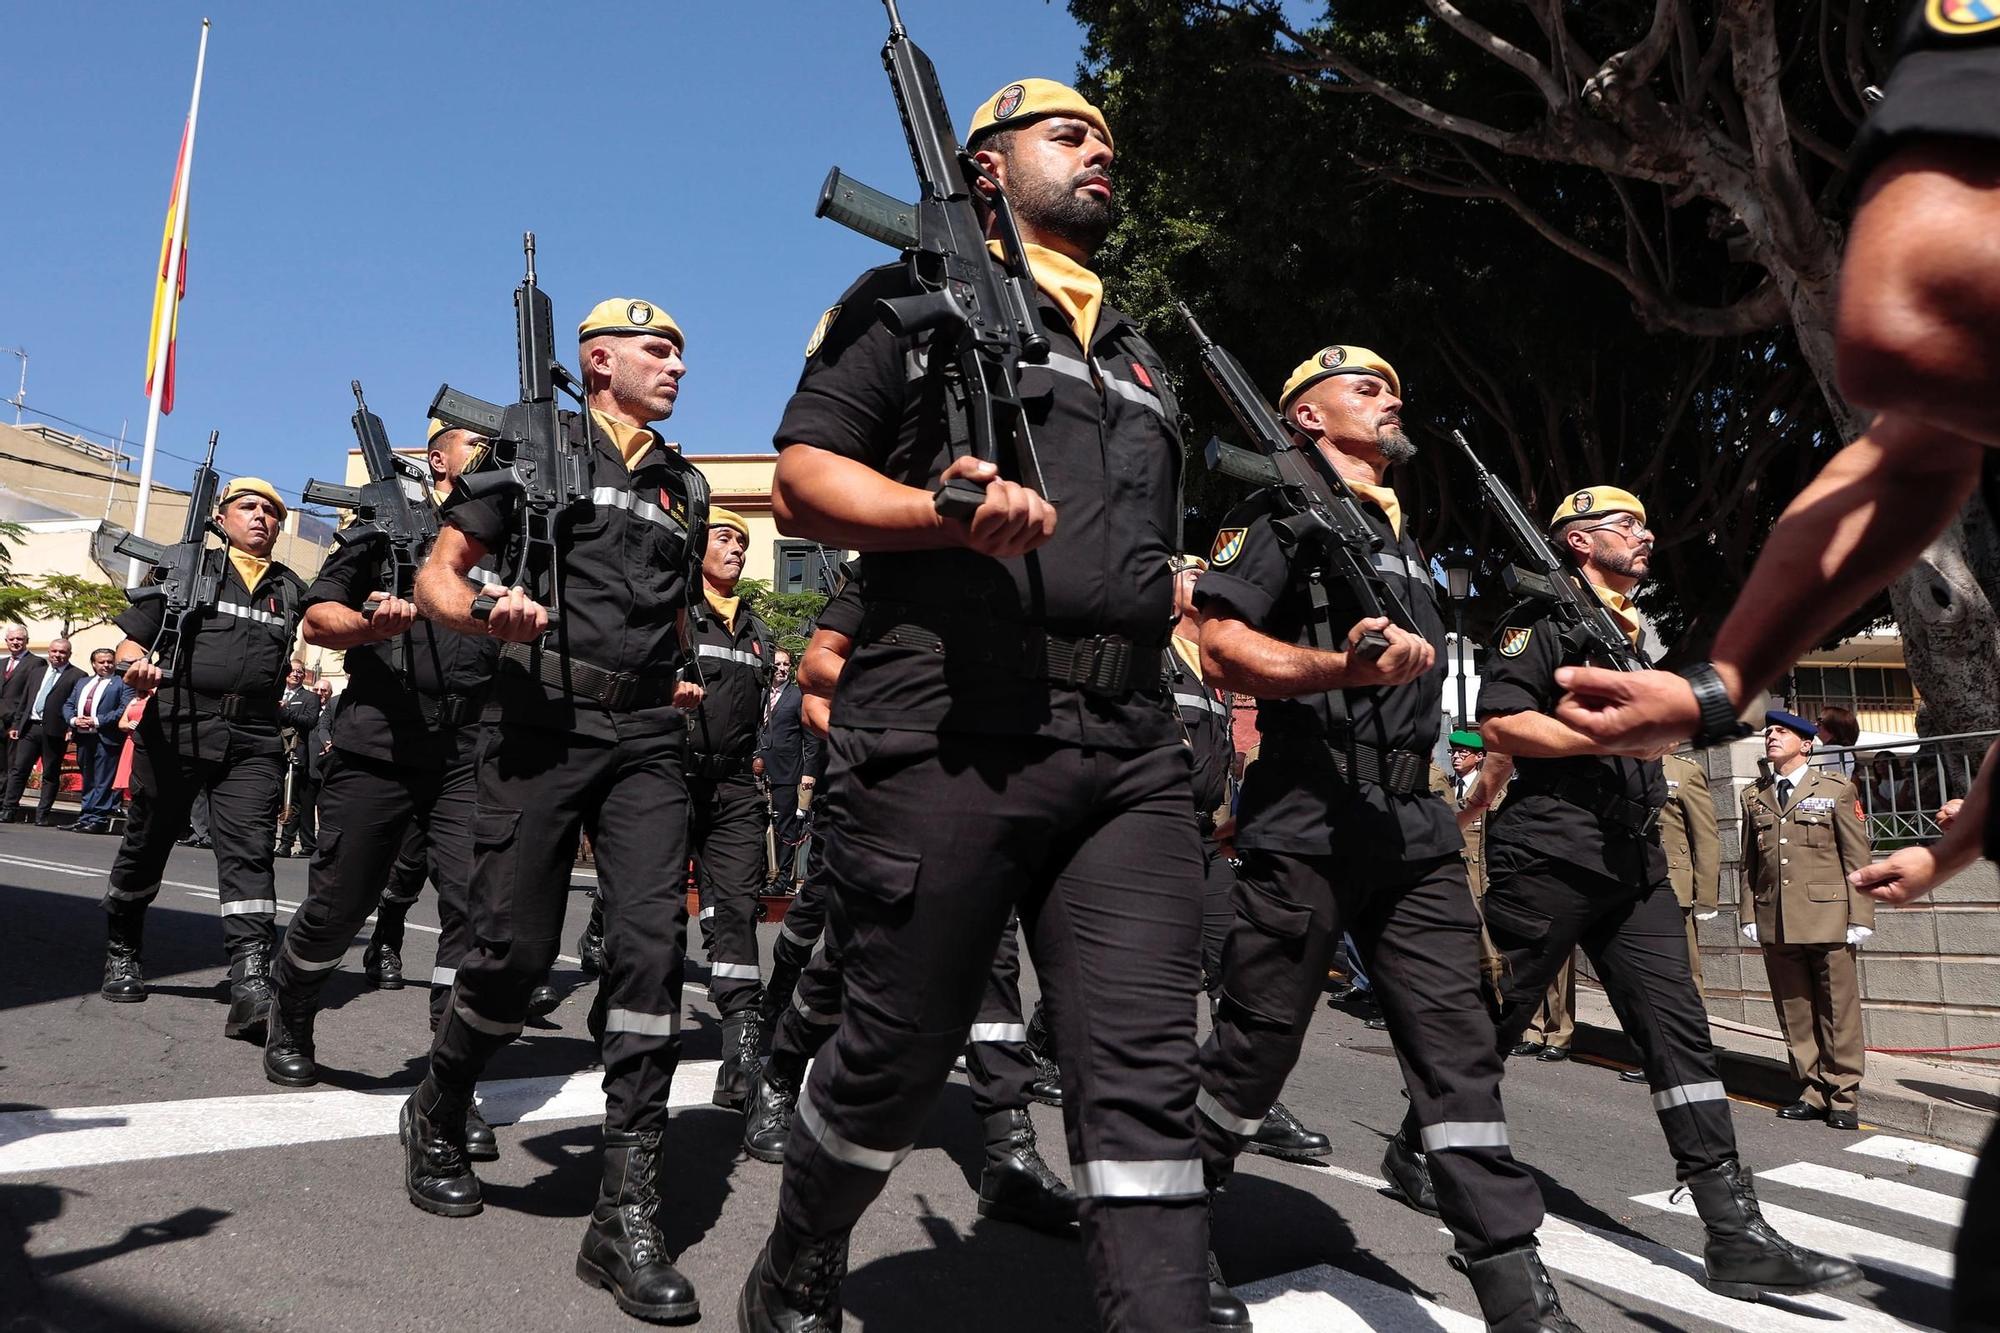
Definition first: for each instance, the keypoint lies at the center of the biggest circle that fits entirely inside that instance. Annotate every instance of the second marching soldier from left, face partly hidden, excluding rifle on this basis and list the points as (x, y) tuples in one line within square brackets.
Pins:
[(399, 780)]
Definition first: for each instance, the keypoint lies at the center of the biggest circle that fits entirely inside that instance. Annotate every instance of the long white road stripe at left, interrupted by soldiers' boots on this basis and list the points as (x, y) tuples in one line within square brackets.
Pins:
[(147, 1132)]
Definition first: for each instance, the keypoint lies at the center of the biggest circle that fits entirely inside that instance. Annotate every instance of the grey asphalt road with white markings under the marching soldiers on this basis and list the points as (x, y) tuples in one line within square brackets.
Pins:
[(151, 1180)]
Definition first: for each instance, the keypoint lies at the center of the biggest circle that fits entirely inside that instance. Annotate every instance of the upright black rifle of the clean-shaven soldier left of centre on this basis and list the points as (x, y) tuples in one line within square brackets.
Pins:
[(535, 459)]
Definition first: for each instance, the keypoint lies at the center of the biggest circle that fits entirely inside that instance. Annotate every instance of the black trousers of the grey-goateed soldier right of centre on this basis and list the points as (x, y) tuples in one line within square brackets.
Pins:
[(1421, 940)]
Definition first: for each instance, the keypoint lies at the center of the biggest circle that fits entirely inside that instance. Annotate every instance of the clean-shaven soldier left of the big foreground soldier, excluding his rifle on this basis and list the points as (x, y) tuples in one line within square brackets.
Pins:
[(583, 732)]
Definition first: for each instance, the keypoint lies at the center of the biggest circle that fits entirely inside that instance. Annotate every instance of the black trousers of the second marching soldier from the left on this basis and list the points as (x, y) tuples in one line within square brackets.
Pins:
[(373, 818)]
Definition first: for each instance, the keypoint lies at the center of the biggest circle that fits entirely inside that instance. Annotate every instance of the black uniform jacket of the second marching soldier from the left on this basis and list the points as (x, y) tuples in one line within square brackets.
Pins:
[(387, 714)]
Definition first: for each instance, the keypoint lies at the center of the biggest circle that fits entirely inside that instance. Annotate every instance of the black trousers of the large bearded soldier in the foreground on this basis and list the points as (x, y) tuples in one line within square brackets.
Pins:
[(933, 844)]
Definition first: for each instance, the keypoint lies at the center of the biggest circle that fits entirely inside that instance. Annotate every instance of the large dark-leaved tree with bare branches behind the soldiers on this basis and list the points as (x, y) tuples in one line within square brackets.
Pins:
[(1599, 235)]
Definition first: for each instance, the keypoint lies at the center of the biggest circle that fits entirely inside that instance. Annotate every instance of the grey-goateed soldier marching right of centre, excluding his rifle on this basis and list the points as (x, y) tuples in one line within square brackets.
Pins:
[(1339, 832)]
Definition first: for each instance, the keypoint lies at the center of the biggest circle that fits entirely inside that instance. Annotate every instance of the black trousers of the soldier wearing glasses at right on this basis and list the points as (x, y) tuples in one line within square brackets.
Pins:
[(1639, 946)]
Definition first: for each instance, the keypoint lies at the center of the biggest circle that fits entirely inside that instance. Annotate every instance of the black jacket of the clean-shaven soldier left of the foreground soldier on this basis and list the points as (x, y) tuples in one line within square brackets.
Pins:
[(623, 573)]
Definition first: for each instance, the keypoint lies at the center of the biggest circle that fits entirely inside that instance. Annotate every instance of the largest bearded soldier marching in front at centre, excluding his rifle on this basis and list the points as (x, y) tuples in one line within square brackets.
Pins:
[(1007, 686)]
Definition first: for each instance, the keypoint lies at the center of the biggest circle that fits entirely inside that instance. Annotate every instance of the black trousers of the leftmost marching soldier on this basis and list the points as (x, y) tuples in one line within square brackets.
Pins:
[(243, 816)]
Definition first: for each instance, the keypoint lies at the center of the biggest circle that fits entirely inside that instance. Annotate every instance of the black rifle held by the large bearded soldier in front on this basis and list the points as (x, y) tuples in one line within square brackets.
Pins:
[(987, 325)]
